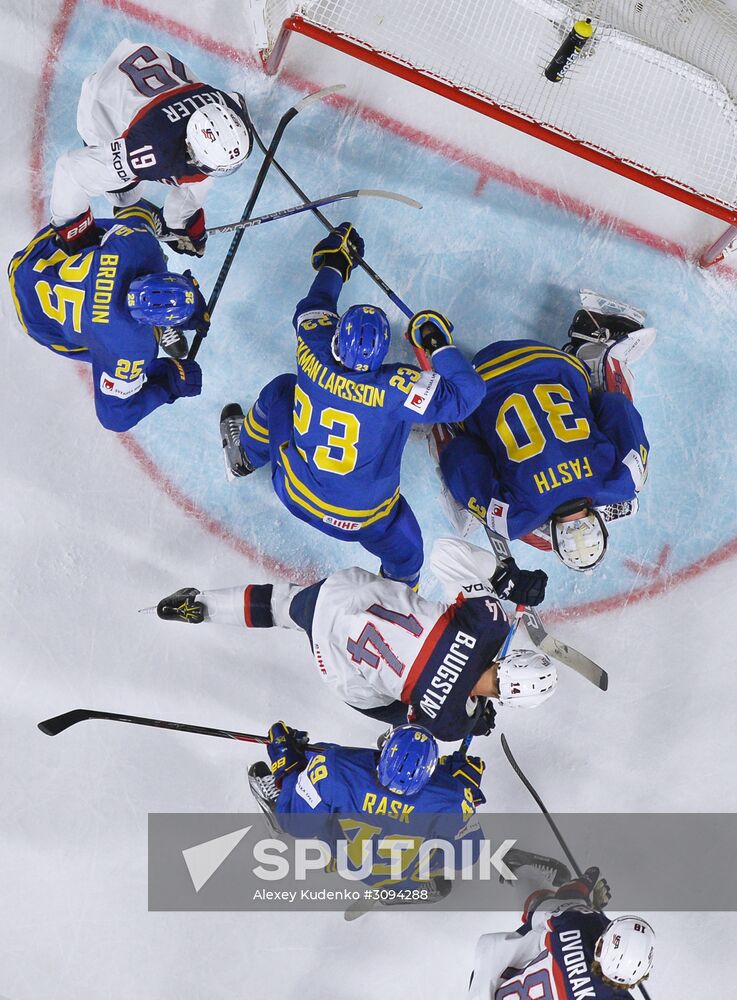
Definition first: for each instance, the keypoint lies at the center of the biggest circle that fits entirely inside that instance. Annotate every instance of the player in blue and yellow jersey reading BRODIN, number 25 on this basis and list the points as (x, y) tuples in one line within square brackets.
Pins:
[(109, 306)]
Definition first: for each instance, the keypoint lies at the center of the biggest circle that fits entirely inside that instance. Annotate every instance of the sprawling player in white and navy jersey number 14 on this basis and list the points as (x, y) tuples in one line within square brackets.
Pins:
[(392, 654)]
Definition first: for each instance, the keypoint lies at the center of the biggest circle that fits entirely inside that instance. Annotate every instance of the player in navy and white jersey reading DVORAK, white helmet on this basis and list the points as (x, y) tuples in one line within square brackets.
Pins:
[(566, 949)]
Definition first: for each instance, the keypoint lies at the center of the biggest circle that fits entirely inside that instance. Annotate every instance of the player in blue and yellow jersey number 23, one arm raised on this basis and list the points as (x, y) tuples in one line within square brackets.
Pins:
[(334, 434)]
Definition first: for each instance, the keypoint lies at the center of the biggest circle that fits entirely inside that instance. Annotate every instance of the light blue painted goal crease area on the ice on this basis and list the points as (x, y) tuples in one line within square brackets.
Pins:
[(683, 389)]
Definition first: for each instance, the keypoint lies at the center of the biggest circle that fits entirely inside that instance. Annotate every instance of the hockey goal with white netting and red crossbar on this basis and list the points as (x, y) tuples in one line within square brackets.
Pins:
[(651, 96)]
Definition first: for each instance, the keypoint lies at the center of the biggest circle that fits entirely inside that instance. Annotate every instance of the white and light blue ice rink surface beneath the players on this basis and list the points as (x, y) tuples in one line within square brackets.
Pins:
[(98, 526)]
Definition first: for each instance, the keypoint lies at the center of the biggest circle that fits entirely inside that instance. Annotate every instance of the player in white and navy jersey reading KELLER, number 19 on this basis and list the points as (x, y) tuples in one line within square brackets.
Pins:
[(144, 115)]
